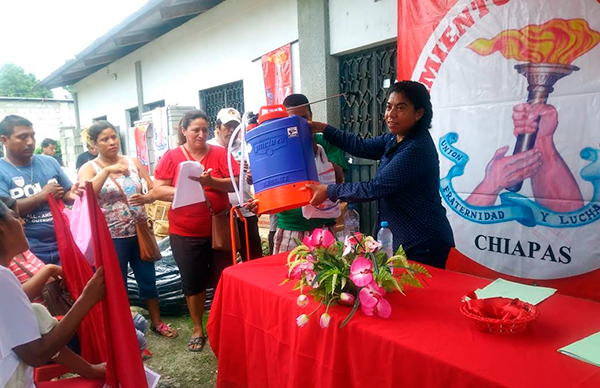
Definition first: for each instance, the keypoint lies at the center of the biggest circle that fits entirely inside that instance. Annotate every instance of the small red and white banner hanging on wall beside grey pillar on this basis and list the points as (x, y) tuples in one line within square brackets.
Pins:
[(277, 73)]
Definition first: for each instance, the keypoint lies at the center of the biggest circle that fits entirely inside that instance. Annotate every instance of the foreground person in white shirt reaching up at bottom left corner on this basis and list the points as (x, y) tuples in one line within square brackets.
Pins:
[(29, 337)]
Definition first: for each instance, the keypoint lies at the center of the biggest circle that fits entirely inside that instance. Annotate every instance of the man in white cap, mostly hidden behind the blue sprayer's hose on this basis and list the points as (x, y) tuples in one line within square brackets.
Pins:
[(227, 121)]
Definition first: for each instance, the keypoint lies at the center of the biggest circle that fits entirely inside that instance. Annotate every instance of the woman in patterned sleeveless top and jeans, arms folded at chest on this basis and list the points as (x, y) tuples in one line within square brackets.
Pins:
[(112, 176)]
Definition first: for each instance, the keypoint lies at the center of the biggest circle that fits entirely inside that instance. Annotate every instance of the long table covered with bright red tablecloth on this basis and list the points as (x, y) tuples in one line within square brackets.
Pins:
[(425, 343)]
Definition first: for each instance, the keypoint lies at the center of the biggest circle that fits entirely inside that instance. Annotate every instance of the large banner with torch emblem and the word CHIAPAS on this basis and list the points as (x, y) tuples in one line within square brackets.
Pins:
[(523, 205)]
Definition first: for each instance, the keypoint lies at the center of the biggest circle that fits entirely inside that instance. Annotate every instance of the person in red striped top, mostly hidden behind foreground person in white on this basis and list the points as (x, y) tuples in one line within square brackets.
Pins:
[(31, 272)]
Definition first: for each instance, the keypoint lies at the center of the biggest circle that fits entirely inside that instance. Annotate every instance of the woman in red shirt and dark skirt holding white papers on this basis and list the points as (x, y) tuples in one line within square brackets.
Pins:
[(190, 227)]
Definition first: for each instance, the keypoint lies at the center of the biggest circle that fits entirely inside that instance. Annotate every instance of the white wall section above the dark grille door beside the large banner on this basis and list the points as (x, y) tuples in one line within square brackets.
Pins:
[(358, 24)]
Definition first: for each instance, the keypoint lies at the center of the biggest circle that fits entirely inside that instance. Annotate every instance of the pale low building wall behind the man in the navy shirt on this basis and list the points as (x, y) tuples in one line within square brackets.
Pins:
[(47, 116)]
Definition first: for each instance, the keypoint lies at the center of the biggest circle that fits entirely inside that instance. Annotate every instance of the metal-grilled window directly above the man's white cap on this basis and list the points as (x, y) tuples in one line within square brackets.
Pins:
[(224, 96)]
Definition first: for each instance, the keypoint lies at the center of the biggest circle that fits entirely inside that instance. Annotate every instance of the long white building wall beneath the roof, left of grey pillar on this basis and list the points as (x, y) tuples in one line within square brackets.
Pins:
[(217, 47)]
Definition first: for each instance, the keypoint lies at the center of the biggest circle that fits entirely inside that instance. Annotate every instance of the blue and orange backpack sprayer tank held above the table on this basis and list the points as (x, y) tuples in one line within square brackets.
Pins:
[(282, 160)]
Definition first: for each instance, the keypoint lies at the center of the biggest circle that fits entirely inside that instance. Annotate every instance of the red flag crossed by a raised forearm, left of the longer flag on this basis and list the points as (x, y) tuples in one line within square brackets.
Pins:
[(77, 272)]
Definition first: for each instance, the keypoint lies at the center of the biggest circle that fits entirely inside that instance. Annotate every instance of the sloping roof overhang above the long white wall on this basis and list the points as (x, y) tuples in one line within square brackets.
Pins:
[(155, 18)]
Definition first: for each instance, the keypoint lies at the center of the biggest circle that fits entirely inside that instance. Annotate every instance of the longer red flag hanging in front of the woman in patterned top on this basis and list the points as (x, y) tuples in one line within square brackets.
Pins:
[(125, 368)]
